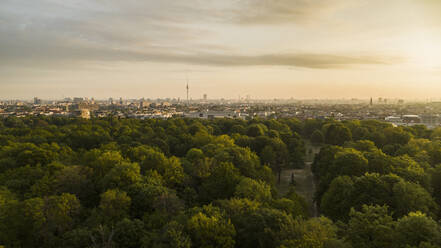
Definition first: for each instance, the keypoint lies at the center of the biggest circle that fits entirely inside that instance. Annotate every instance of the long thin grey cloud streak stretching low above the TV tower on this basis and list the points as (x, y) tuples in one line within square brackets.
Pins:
[(58, 53)]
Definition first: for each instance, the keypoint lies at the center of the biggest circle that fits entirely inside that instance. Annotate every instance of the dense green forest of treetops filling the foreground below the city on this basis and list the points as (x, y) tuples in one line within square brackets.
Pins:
[(68, 182)]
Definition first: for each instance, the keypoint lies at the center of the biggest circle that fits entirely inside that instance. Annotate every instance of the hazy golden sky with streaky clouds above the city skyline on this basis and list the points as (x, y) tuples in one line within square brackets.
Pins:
[(227, 48)]
